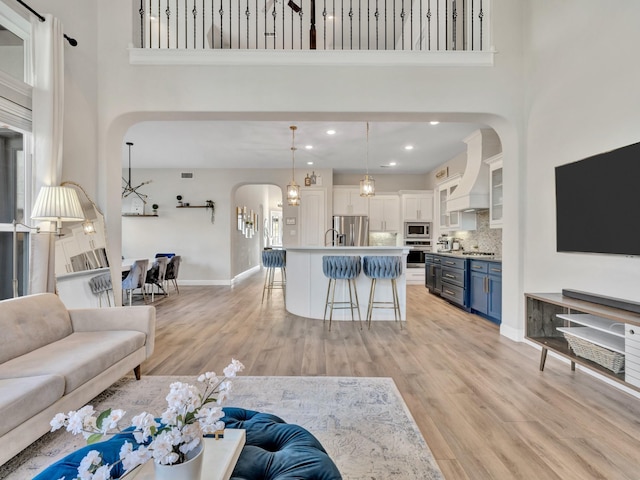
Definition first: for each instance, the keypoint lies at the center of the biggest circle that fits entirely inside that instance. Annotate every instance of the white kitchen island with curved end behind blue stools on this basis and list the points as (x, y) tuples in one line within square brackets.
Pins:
[(307, 285)]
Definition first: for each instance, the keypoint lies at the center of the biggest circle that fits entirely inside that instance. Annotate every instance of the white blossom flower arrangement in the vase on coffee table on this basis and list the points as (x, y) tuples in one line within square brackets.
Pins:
[(190, 414)]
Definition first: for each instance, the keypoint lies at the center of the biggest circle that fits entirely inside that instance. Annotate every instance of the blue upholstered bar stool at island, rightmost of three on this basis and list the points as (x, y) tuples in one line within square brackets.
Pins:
[(383, 268)]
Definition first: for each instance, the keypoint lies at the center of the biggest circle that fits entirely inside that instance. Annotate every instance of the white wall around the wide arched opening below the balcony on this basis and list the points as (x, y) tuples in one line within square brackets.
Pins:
[(126, 94)]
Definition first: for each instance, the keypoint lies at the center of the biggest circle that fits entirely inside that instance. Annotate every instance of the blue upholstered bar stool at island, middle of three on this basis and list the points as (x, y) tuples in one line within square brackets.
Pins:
[(341, 267)]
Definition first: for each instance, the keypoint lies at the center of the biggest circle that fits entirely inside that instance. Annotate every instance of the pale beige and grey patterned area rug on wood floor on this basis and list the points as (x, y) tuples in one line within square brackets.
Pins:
[(363, 423)]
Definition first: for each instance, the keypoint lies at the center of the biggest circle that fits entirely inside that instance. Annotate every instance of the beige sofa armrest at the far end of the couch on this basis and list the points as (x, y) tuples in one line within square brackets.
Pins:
[(140, 318)]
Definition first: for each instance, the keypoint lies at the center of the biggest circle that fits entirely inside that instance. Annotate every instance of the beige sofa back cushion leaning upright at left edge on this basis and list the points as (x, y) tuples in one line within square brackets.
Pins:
[(31, 322)]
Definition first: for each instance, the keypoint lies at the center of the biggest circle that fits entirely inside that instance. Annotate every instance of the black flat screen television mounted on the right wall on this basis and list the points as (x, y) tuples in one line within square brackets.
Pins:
[(598, 203)]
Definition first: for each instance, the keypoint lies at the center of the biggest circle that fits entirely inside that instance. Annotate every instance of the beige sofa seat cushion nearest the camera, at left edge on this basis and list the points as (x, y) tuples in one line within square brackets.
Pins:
[(22, 398)]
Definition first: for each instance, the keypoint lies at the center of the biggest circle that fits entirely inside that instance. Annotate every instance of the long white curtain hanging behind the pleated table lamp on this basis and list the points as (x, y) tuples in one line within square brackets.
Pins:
[(48, 109)]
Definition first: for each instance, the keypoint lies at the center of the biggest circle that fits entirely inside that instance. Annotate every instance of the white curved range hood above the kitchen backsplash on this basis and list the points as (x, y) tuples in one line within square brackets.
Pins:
[(472, 192)]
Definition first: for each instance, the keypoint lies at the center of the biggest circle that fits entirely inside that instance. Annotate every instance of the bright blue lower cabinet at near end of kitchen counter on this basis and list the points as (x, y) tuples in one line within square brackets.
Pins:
[(485, 295)]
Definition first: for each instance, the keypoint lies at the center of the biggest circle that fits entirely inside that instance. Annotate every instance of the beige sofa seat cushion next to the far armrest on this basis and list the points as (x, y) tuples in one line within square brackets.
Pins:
[(79, 357)]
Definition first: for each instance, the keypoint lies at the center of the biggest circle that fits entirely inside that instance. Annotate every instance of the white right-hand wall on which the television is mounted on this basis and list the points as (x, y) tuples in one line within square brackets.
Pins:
[(582, 99)]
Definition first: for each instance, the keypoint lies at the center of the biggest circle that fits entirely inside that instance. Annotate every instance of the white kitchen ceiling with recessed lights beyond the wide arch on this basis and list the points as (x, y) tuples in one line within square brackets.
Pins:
[(267, 144)]
